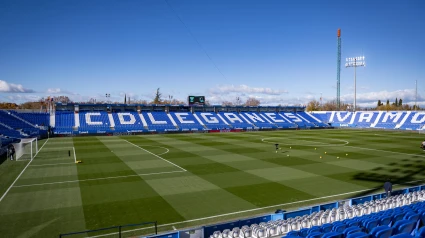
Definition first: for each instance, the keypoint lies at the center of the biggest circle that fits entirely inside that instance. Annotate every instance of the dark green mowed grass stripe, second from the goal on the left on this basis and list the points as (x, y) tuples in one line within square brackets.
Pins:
[(112, 202)]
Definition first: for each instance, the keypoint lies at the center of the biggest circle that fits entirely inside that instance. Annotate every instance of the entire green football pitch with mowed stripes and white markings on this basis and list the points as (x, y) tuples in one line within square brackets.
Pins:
[(187, 180)]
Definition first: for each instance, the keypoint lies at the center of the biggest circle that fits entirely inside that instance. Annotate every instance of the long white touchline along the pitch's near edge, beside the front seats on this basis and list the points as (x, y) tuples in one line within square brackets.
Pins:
[(250, 210)]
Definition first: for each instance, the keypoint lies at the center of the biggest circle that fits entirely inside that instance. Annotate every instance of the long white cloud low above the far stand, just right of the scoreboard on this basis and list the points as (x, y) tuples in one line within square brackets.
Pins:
[(243, 89)]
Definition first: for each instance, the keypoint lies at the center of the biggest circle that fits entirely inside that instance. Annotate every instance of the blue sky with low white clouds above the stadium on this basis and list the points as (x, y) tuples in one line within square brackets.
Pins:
[(281, 52)]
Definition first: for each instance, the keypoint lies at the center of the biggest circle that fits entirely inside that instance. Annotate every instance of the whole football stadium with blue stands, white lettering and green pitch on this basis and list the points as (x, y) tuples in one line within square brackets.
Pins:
[(161, 171)]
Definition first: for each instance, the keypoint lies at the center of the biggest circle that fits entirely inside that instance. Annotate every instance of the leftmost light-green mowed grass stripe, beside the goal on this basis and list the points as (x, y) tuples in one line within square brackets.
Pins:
[(36, 211)]
